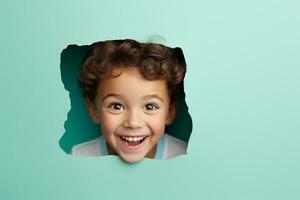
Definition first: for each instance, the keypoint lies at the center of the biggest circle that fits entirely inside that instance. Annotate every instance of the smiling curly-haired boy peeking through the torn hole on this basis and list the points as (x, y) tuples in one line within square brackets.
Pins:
[(132, 90)]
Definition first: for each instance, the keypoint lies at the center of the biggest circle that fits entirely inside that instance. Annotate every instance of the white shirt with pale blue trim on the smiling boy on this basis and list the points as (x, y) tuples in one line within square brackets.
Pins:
[(168, 147)]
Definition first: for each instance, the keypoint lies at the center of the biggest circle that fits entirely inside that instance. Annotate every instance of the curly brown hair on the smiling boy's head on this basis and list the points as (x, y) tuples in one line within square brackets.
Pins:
[(155, 62)]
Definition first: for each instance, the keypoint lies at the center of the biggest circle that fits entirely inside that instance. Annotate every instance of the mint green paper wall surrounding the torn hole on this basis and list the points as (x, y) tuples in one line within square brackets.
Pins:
[(242, 89)]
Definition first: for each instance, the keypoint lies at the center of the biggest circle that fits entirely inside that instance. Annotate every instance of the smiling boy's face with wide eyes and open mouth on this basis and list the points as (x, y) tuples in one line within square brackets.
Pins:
[(132, 112)]
